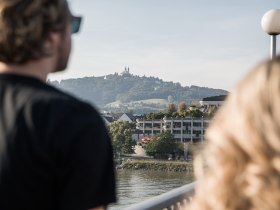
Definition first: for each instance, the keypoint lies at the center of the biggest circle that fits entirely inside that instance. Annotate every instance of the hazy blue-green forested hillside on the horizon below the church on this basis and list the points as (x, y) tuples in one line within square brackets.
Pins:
[(126, 87)]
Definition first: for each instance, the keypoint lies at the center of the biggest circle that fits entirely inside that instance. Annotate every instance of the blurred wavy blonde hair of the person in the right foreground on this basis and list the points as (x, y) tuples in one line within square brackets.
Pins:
[(239, 169)]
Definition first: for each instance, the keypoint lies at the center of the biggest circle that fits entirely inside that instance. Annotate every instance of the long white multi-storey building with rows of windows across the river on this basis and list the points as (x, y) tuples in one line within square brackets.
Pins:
[(183, 129)]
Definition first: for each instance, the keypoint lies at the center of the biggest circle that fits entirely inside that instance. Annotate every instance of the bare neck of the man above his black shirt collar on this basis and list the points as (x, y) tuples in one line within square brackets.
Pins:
[(38, 69)]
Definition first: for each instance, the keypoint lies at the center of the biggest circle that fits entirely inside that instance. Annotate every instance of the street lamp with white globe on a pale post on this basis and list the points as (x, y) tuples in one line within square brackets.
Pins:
[(271, 25)]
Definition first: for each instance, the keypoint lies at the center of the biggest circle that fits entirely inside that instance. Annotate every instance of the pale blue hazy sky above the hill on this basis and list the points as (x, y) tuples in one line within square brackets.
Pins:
[(193, 42)]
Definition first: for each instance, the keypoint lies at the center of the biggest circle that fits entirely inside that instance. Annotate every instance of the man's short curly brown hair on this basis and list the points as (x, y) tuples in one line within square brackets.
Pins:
[(25, 25)]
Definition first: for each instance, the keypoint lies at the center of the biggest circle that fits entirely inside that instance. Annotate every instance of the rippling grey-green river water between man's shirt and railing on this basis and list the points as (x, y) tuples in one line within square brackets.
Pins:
[(134, 186)]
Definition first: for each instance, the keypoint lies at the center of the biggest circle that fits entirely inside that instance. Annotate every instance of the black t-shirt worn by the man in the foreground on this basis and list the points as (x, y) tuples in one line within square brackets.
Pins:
[(55, 152)]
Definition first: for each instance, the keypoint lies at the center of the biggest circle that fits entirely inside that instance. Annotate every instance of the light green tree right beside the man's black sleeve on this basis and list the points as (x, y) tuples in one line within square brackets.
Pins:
[(121, 135)]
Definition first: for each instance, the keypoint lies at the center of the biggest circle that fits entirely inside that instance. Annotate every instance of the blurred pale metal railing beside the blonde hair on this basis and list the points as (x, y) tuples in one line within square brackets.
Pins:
[(172, 200)]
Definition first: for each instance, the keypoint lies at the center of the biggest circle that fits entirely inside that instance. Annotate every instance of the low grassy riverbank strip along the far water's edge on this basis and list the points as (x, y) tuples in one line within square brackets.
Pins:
[(157, 165)]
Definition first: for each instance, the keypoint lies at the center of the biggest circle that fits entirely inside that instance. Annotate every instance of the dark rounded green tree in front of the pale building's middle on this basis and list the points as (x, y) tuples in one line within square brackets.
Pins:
[(161, 145)]
